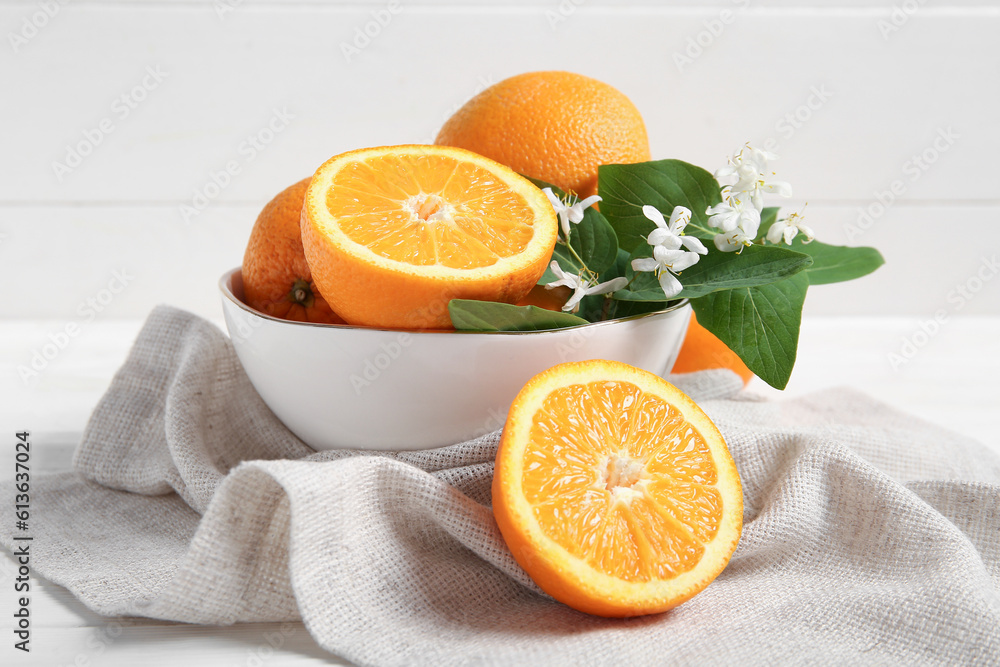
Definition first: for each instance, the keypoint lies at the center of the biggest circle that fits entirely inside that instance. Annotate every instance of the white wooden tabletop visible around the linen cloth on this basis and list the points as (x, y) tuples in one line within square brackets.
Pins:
[(950, 378)]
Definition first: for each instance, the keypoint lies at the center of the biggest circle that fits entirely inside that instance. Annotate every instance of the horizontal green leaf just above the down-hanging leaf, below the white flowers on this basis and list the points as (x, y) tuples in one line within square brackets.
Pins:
[(756, 265)]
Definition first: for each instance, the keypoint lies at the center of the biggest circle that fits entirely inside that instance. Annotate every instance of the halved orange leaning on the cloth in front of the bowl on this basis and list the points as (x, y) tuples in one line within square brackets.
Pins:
[(614, 490)]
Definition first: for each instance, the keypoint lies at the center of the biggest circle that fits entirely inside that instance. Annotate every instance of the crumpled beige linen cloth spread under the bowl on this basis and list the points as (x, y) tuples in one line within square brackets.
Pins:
[(870, 537)]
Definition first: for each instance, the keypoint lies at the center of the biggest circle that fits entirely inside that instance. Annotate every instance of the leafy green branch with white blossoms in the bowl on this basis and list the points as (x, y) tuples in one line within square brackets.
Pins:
[(751, 299)]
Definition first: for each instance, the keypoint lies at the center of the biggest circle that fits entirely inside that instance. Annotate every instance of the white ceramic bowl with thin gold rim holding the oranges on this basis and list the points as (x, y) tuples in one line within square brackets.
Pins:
[(346, 387)]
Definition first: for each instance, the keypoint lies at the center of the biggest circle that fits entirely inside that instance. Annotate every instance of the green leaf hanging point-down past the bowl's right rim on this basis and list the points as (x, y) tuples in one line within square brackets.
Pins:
[(760, 324)]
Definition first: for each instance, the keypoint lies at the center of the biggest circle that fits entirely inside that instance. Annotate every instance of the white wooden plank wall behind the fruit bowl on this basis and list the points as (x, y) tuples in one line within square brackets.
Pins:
[(884, 85)]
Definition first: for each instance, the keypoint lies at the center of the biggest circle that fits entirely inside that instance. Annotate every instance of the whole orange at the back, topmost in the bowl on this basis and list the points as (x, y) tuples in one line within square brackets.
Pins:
[(554, 126)]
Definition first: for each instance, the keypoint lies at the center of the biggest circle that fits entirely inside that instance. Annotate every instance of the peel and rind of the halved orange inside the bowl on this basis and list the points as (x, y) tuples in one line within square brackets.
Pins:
[(399, 300)]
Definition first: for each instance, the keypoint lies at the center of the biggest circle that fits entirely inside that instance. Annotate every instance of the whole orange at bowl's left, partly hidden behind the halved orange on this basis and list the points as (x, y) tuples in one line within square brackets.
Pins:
[(274, 263)]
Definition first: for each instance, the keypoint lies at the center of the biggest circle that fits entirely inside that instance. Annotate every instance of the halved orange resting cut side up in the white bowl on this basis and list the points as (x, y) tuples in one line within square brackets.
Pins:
[(392, 234)]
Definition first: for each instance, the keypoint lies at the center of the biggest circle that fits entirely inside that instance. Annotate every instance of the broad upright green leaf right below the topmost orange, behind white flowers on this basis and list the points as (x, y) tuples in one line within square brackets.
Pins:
[(663, 184)]
